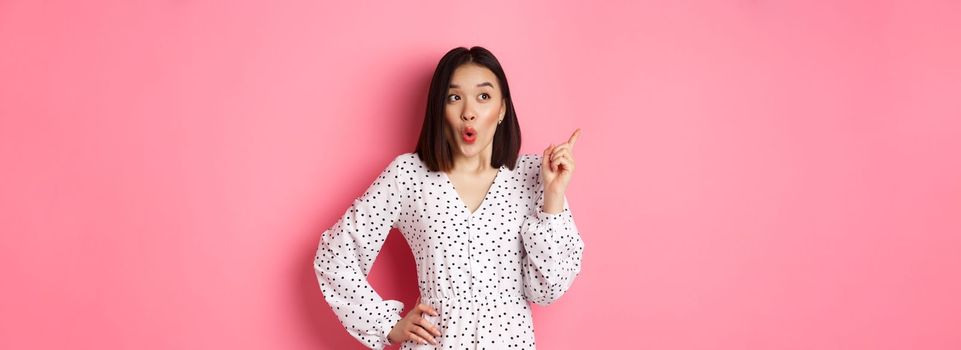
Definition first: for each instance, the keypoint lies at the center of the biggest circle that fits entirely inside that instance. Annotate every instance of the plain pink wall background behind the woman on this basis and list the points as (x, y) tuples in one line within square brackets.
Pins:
[(752, 174)]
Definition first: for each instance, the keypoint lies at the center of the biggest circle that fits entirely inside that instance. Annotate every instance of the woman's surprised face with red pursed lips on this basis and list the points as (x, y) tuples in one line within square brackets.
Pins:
[(474, 105)]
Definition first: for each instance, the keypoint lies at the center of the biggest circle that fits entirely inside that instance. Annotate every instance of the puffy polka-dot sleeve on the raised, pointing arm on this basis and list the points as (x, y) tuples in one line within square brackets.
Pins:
[(553, 251)]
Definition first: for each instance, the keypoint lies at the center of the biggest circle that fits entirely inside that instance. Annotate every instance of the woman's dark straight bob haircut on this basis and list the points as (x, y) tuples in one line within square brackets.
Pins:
[(433, 146)]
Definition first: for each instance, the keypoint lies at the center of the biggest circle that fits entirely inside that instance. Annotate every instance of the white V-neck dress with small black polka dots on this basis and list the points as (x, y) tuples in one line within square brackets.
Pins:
[(478, 270)]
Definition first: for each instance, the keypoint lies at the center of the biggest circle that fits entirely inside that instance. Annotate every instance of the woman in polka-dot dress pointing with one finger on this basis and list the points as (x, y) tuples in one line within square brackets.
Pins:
[(490, 230)]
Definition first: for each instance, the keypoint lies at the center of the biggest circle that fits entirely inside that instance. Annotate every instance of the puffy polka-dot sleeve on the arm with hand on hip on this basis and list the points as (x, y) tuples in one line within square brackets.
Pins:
[(346, 253)]
